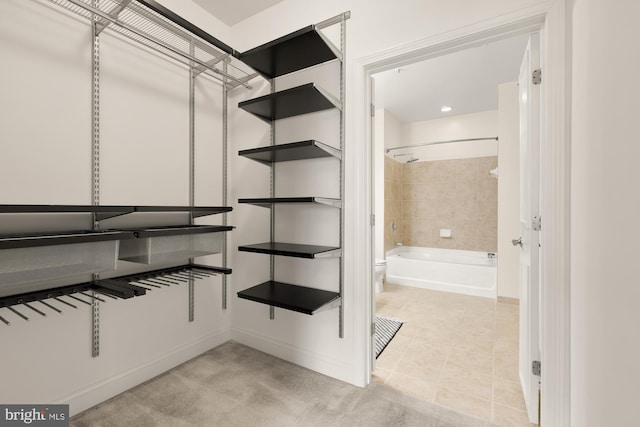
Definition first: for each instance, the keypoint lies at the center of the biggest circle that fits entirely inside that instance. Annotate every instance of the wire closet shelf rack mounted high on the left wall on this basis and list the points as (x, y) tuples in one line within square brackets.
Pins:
[(156, 27)]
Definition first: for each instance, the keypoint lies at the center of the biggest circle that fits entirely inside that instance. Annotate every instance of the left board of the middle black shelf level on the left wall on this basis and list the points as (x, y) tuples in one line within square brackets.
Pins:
[(14, 241)]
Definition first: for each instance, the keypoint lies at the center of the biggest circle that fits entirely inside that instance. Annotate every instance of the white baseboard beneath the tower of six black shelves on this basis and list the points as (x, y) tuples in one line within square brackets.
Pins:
[(325, 365)]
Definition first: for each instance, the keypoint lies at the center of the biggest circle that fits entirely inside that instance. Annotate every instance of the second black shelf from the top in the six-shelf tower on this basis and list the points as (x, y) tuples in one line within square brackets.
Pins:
[(296, 101)]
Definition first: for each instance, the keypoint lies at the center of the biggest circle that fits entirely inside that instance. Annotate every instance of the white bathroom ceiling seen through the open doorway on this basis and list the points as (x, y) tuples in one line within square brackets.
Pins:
[(466, 80)]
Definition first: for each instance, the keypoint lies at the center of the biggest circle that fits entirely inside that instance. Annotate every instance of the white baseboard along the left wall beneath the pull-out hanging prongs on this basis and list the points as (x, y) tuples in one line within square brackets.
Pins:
[(94, 394)]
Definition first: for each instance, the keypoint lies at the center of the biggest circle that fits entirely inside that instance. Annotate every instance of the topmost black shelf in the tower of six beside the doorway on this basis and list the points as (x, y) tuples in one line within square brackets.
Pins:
[(296, 51)]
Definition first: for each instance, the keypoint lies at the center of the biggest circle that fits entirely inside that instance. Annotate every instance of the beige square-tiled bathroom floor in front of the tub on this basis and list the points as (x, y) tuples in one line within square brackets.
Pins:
[(455, 350)]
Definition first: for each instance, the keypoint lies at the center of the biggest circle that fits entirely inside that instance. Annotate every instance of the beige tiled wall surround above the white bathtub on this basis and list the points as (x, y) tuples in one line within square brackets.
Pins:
[(426, 196)]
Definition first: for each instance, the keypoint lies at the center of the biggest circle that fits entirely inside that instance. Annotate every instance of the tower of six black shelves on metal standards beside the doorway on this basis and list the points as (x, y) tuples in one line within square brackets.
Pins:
[(293, 52)]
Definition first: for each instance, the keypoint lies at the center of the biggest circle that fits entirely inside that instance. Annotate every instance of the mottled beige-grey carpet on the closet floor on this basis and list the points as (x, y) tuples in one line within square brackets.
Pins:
[(233, 385)]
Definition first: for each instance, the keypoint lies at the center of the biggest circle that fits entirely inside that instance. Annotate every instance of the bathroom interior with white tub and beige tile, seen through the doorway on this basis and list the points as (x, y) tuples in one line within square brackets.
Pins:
[(446, 136)]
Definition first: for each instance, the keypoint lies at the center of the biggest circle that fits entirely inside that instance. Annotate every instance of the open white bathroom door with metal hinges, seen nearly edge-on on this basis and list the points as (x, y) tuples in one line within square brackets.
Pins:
[(529, 238)]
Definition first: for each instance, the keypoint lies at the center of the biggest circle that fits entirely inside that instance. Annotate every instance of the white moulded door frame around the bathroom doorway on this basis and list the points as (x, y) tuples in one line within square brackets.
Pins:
[(550, 19)]
